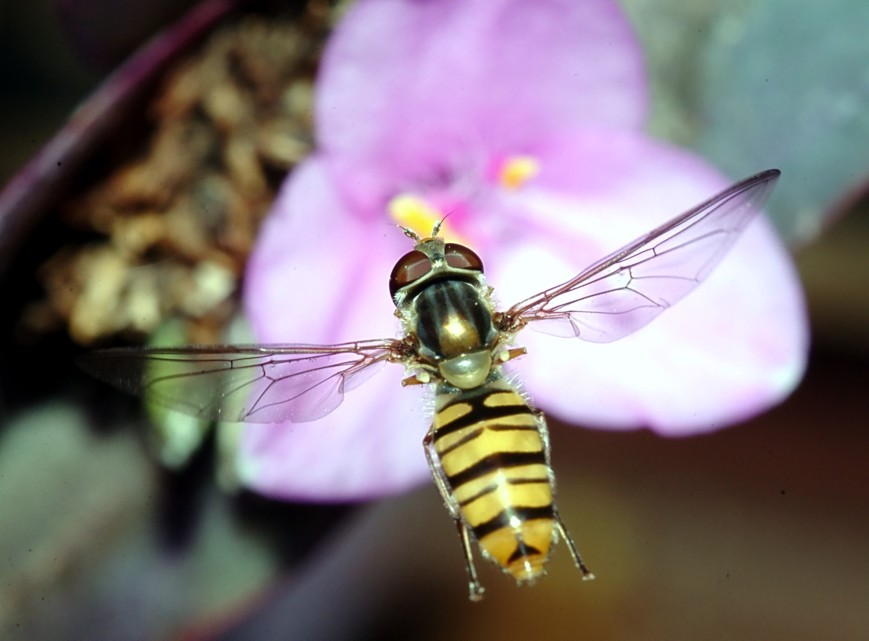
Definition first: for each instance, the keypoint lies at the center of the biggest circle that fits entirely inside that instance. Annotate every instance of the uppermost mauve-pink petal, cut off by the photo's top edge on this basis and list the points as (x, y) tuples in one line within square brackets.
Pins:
[(414, 90)]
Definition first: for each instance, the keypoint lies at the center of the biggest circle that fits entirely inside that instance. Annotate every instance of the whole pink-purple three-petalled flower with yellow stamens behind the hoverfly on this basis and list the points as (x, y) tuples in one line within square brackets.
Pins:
[(524, 121)]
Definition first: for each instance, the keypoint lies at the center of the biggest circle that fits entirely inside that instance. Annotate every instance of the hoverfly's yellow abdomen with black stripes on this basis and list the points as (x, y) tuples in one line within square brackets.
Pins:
[(494, 461)]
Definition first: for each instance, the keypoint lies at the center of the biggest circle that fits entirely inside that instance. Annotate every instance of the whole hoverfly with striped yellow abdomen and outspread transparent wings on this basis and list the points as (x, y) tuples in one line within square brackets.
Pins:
[(488, 447)]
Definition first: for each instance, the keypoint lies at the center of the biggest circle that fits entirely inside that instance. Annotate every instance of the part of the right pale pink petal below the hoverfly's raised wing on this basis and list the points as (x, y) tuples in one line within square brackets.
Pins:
[(731, 349)]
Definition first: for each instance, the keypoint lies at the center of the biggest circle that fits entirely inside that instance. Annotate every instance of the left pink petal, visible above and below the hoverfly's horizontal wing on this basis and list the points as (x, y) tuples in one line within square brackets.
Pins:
[(319, 276)]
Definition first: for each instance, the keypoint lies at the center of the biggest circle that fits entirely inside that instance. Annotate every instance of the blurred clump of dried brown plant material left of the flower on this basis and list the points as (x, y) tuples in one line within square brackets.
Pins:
[(175, 223)]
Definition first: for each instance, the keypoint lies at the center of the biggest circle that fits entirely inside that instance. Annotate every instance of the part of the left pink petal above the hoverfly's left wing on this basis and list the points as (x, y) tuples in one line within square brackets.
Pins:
[(318, 274)]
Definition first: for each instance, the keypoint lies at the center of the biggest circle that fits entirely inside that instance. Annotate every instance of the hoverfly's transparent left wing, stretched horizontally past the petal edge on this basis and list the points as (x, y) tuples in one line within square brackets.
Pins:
[(244, 383)]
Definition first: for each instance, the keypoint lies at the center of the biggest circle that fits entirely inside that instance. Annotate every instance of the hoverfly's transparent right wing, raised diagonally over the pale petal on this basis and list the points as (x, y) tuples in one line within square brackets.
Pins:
[(624, 291)]
